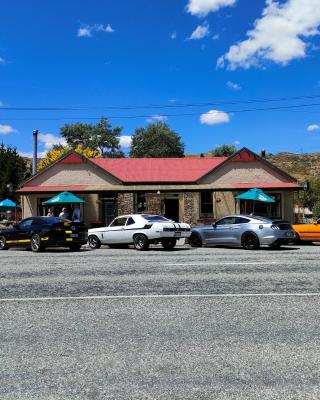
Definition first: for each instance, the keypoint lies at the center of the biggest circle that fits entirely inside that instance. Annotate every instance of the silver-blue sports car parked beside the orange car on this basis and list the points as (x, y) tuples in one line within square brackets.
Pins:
[(248, 231)]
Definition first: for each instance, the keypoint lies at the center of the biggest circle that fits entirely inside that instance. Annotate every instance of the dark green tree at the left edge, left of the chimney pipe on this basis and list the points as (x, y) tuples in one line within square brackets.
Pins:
[(13, 170)]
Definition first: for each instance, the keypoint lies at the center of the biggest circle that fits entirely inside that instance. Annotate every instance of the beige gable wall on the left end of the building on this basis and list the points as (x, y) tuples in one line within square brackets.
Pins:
[(73, 174)]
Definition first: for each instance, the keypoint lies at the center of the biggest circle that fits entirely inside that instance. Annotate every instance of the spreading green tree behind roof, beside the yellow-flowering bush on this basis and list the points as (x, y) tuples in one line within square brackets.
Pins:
[(101, 137)]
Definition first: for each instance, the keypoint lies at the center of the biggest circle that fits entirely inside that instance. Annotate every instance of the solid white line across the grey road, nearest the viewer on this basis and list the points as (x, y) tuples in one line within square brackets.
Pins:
[(156, 296)]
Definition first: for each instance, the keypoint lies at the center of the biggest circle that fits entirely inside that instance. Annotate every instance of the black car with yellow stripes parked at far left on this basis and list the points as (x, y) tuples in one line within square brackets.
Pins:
[(38, 233)]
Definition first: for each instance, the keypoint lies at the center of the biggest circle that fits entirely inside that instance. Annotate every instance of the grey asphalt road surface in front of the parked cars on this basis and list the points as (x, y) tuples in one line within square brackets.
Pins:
[(209, 323)]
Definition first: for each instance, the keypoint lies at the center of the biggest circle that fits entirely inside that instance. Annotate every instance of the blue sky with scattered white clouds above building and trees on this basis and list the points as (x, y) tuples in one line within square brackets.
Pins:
[(95, 54)]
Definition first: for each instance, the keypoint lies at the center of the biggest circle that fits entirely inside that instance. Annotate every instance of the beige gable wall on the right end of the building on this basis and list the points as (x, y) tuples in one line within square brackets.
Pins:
[(244, 172)]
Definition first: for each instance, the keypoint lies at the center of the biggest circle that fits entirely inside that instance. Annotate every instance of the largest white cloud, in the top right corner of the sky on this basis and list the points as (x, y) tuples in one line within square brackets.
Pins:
[(280, 35)]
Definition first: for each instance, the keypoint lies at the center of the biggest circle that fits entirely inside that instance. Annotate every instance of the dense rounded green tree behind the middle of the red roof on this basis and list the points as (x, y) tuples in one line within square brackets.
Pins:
[(156, 141)]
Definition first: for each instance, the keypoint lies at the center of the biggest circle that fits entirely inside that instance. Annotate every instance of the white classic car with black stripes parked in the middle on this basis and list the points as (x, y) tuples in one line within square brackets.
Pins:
[(141, 230)]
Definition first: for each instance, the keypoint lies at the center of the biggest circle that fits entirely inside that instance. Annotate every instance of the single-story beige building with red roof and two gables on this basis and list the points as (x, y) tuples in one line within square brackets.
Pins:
[(194, 190)]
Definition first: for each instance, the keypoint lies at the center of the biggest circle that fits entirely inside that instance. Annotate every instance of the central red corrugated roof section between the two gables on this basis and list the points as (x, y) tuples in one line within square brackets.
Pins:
[(133, 170)]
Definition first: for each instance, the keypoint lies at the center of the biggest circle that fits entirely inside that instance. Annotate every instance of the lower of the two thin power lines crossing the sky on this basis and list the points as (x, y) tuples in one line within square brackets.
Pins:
[(298, 106)]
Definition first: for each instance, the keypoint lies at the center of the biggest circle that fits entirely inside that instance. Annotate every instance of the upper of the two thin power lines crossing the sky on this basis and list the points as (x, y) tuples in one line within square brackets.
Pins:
[(159, 106)]
